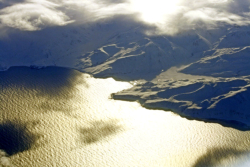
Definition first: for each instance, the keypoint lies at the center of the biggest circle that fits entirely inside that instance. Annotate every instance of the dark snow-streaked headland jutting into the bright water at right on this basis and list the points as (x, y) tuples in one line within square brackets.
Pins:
[(196, 97)]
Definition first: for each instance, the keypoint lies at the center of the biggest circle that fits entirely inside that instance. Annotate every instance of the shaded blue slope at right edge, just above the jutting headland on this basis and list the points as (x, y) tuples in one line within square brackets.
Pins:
[(224, 62)]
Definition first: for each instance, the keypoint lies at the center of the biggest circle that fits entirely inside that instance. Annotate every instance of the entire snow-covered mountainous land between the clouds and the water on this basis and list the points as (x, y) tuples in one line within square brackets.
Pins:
[(199, 74)]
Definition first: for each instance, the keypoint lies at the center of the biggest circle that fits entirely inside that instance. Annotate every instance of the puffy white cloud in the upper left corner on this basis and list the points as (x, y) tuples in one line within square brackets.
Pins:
[(32, 15)]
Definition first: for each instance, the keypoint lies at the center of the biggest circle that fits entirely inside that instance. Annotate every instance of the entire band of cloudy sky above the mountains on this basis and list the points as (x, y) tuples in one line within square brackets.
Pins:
[(168, 16)]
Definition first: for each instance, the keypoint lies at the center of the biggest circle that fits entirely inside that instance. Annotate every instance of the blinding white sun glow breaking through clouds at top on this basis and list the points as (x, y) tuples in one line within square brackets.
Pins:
[(154, 11)]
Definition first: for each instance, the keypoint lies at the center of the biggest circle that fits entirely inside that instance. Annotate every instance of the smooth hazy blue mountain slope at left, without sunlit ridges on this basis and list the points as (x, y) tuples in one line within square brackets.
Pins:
[(56, 45)]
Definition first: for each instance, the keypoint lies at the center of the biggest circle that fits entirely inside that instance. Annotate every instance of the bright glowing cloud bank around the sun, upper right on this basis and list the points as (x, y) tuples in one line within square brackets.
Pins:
[(189, 14)]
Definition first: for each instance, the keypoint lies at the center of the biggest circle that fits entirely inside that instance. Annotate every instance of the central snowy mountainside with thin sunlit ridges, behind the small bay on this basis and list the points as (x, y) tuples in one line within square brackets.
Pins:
[(133, 55)]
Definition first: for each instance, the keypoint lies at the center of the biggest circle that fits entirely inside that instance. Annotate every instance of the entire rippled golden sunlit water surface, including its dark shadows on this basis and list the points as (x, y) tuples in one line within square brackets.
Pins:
[(67, 118)]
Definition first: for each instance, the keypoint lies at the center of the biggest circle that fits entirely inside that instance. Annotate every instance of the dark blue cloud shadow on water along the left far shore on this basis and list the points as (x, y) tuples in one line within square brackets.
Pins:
[(48, 81)]
